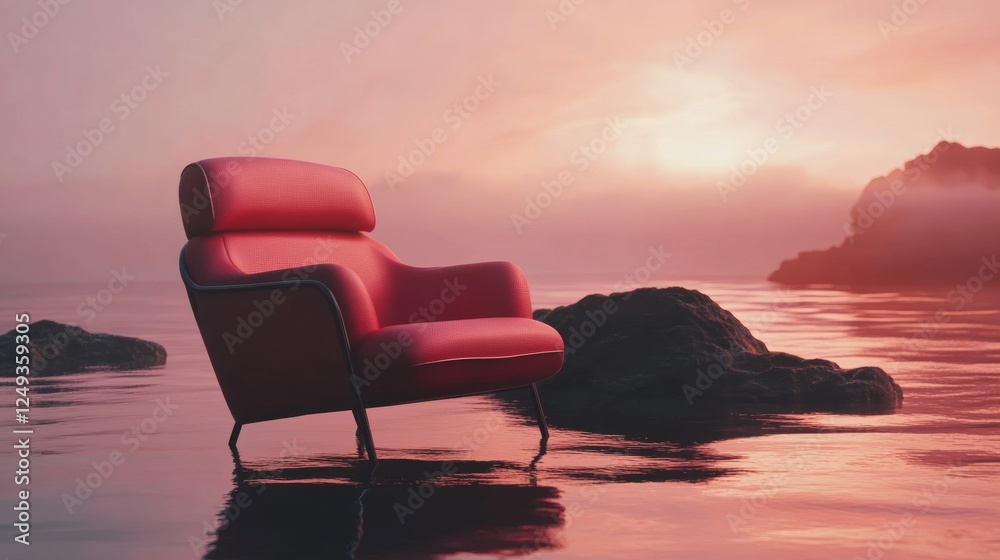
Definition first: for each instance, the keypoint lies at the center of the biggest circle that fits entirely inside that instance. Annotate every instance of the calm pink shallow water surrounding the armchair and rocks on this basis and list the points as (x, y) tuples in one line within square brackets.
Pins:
[(921, 483)]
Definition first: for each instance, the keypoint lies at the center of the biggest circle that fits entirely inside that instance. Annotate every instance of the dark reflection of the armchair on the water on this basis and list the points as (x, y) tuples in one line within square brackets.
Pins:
[(325, 507)]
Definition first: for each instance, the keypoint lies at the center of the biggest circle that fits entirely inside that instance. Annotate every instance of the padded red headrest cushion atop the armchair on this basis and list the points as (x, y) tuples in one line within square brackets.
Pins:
[(254, 194)]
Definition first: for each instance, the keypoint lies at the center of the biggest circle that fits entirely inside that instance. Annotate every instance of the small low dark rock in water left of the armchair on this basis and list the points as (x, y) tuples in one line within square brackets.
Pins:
[(57, 348)]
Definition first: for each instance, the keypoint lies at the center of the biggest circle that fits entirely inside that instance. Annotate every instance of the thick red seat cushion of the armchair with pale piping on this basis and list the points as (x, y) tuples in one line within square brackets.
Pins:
[(423, 361)]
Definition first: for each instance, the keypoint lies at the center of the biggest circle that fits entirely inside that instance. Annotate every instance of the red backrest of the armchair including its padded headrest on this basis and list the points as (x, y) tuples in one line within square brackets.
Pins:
[(246, 216)]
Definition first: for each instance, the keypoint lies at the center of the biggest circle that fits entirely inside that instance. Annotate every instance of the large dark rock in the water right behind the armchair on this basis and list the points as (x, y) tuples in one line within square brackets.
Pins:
[(646, 357)]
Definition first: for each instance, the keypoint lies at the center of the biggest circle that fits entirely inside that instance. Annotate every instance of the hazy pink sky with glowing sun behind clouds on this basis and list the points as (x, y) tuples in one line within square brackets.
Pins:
[(553, 88)]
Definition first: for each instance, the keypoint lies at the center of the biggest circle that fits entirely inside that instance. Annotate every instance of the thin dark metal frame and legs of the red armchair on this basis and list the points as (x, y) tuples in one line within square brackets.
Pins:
[(359, 410)]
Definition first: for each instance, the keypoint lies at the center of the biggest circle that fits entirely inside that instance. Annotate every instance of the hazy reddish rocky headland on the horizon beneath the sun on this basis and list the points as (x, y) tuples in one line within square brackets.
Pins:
[(932, 222)]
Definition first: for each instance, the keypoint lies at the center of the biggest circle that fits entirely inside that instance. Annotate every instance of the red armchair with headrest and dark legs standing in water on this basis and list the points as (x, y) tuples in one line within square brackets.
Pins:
[(302, 313)]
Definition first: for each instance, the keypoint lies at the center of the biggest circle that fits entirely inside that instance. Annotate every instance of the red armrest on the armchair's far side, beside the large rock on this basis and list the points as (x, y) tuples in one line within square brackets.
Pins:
[(468, 291)]
